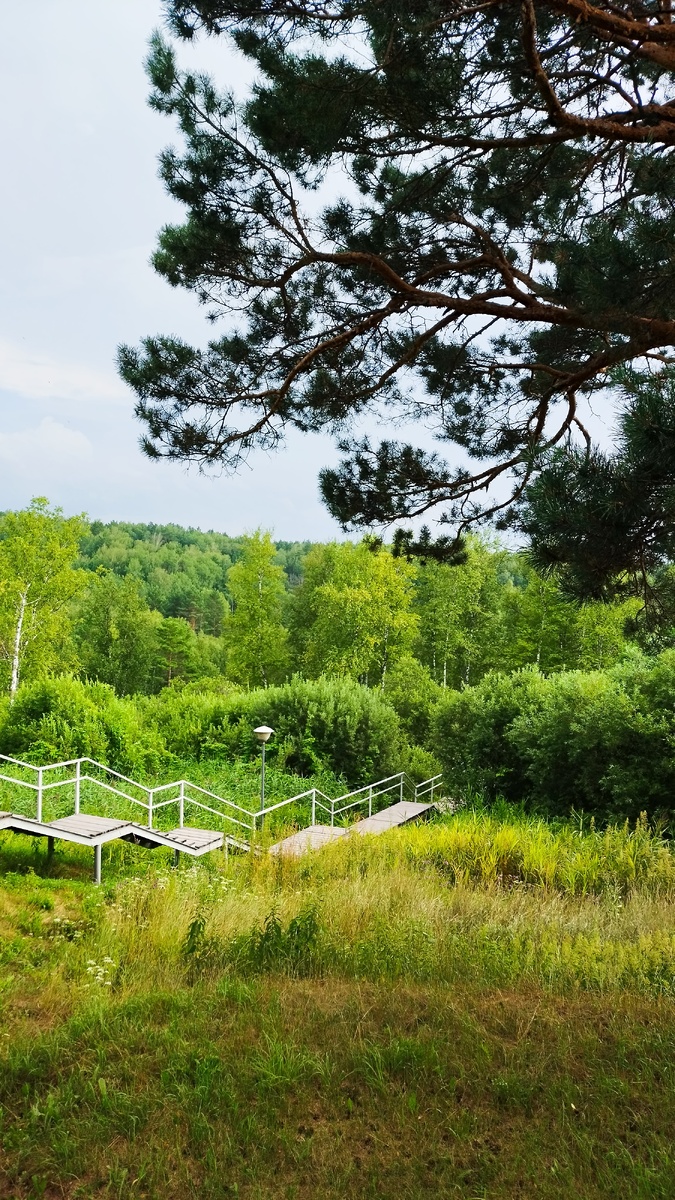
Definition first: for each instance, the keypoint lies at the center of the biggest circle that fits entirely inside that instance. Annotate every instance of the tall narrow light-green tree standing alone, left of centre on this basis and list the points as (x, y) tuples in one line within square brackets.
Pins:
[(256, 637)]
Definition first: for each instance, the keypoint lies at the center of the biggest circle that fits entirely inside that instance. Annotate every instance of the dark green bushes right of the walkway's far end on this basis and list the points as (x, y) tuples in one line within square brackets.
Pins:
[(604, 742)]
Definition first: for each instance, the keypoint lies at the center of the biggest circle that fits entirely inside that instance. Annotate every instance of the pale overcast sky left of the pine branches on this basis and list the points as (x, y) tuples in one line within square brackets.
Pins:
[(80, 209)]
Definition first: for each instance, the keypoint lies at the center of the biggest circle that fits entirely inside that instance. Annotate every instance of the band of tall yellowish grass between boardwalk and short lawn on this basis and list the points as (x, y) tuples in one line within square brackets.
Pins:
[(469, 898)]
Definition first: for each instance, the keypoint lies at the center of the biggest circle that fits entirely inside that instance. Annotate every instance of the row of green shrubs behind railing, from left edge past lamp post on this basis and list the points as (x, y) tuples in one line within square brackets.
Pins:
[(332, 724)]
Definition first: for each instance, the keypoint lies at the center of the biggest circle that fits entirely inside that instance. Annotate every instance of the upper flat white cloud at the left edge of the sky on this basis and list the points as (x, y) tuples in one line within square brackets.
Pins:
[(39, 377)]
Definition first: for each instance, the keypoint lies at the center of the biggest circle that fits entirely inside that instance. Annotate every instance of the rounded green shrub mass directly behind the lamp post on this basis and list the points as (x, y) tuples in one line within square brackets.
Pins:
[(321, 723)]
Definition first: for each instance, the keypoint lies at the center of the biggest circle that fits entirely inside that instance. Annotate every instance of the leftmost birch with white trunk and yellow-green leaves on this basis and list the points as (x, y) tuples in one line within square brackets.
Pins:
[(38, 583)]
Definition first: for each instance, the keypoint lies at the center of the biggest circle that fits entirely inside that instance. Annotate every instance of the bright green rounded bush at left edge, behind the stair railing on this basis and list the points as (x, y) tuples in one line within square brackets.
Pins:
[(61, 719)]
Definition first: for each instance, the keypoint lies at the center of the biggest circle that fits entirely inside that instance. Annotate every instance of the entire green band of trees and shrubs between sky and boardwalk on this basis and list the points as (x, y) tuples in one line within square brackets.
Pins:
[(363, 663)]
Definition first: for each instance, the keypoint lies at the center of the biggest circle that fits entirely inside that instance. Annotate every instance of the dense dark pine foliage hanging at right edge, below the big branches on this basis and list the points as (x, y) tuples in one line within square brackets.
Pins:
[(606, 525)]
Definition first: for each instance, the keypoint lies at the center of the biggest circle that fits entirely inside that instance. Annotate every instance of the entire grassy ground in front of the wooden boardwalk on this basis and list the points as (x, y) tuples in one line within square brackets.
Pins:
[(479, 1009)]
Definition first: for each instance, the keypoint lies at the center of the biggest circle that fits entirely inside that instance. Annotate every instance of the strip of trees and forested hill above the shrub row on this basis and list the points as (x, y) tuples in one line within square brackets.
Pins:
[(144, 608)]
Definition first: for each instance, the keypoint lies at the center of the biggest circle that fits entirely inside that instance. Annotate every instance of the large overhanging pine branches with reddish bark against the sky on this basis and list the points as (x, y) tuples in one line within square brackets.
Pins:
[(504, 238)]
